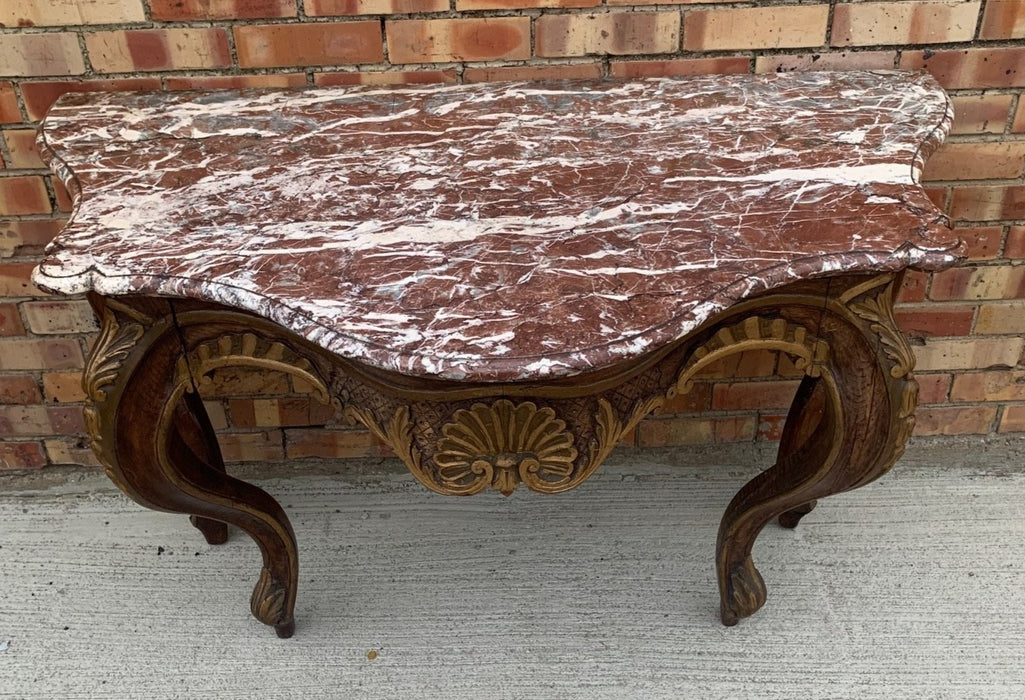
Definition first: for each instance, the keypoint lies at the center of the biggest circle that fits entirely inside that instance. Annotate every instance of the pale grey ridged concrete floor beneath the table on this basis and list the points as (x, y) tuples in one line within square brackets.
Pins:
[(914, 587)]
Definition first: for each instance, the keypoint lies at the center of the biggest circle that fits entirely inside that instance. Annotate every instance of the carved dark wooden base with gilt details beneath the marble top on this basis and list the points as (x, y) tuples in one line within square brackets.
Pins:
[(848, 425)]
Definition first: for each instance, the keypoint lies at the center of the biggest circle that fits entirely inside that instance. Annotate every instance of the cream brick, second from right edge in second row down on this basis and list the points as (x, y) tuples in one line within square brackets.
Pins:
[(930, 22)]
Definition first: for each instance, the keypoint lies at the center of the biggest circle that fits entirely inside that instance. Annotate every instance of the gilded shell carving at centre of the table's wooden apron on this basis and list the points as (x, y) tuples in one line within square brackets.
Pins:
[(503, 445)]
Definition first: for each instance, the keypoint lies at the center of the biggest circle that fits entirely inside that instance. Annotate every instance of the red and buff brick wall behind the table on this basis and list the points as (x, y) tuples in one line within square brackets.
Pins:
[(968, 324)]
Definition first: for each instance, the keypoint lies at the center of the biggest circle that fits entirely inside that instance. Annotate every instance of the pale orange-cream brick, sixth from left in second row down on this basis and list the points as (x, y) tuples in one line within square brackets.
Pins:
[(778, 27)]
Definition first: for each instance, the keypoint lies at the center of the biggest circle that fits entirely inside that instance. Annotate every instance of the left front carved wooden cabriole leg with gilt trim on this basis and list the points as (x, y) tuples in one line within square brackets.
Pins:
[(149, 440)]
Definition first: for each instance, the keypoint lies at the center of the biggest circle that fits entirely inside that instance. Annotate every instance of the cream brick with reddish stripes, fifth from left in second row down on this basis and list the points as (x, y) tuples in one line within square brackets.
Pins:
[(617, 34)]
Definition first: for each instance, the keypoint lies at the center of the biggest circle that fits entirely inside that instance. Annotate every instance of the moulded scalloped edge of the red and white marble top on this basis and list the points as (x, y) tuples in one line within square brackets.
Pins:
[(459, 367)]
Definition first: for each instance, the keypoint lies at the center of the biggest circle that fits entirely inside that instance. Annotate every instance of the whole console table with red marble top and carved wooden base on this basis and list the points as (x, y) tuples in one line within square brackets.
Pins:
[(500, 280)]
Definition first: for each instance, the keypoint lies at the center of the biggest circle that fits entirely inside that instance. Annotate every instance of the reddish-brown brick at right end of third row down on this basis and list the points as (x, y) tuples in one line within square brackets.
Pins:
[(975, 68)]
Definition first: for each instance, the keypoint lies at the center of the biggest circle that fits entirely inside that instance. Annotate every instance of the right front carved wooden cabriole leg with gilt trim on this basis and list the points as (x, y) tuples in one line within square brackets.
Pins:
[(851, 419)]
